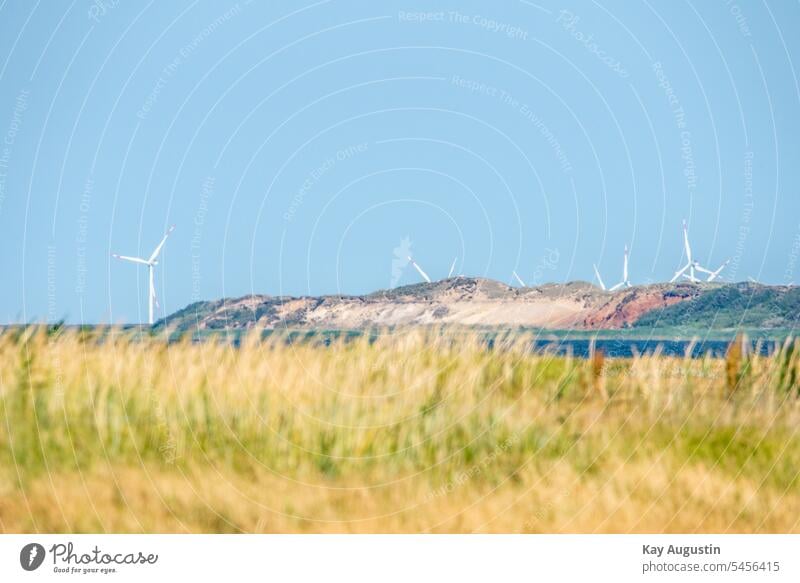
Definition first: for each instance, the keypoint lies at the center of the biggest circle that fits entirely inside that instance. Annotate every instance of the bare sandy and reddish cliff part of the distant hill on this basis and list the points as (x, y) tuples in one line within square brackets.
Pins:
[(463, 301)]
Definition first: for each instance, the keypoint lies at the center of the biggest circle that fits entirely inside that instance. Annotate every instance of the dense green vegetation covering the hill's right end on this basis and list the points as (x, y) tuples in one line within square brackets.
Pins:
[(743, 305)]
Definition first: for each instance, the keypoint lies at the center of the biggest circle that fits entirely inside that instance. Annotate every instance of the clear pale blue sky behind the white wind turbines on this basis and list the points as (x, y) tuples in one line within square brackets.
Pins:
[(299, 147)]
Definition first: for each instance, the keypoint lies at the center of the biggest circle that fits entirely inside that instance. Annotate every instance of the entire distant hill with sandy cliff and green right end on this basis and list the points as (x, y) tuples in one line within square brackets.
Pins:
[(483, 302)]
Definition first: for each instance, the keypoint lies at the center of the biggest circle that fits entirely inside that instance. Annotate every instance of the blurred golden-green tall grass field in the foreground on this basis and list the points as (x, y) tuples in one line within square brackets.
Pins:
[(418, 431)]
